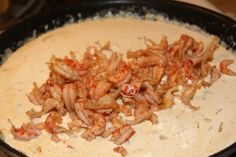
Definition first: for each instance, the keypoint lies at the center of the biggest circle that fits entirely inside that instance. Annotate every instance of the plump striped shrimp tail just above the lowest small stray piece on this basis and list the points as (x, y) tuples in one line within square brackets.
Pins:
[(122, 134)]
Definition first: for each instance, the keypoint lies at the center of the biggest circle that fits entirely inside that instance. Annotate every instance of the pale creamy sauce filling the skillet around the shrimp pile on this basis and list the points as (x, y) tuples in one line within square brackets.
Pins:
[(180, 131)]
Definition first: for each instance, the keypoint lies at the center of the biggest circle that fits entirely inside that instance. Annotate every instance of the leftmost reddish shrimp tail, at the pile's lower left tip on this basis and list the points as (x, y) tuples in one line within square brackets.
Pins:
[(26, 132)]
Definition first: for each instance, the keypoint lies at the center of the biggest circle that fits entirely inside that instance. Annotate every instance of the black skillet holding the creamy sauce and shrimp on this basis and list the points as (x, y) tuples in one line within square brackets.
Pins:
[(209, 21)]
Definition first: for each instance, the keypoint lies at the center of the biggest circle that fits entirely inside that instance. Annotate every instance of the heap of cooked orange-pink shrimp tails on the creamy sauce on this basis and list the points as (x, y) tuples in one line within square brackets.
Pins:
[(105, 93)]
